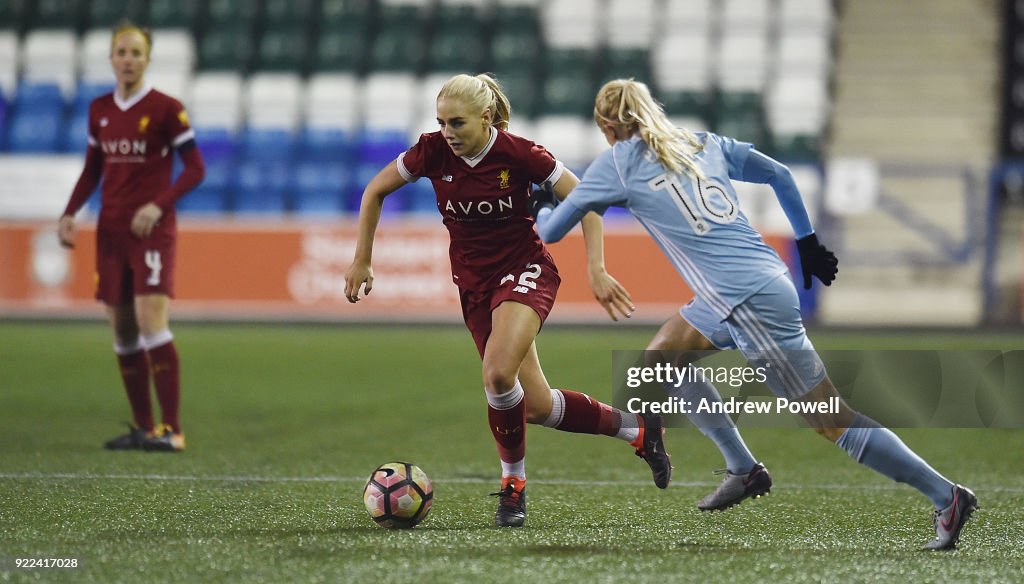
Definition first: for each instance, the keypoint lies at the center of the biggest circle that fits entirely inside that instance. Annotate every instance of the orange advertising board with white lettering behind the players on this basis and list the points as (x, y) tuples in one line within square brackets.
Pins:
[(295, 270)]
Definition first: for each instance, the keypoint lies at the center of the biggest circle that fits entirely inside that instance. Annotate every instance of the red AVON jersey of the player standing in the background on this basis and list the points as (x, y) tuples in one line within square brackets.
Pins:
[(137, 140)]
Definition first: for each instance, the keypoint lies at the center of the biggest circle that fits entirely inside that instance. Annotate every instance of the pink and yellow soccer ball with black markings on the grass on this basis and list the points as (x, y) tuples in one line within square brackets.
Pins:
[(399, 495)]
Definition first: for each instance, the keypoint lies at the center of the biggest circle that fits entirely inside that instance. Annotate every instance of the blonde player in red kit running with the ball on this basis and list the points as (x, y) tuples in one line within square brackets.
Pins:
[(507, 282)]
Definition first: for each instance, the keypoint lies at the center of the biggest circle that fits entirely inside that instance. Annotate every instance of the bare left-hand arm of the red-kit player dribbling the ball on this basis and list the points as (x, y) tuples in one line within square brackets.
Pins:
[(360, 275)]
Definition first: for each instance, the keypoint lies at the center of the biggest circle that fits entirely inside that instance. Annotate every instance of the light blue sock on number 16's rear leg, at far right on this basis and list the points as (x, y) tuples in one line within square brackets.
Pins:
[(880, 449)]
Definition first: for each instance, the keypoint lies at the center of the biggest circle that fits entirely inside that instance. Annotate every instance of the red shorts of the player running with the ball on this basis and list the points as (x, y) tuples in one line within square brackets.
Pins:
[(536, 286)]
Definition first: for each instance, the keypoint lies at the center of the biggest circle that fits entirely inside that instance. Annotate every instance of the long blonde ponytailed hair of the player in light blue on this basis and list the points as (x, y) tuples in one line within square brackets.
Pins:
[(629, 105)]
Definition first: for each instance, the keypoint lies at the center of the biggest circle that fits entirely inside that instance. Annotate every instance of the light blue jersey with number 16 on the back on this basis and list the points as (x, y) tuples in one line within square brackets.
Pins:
[(697, 223)]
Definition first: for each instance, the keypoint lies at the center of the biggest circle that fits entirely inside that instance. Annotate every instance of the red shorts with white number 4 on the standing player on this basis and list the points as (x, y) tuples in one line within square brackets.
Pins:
[(129, 267)]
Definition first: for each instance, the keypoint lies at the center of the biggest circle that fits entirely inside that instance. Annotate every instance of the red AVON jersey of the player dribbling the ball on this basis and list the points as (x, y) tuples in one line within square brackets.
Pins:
[(485, 202)]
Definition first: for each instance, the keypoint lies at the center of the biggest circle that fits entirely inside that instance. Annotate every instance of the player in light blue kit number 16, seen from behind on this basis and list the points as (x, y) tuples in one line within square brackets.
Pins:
[(677, 185)]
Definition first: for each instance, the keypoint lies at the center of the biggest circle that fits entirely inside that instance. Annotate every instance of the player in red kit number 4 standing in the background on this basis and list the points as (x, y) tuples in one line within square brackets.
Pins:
[(134, 134)]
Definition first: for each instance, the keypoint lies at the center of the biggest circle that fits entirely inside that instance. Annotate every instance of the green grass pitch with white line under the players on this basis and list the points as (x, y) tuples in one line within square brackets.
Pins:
[(285, 423)]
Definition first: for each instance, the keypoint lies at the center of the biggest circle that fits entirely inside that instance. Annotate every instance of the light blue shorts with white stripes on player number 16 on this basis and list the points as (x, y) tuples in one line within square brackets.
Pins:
[(769, 330)]
